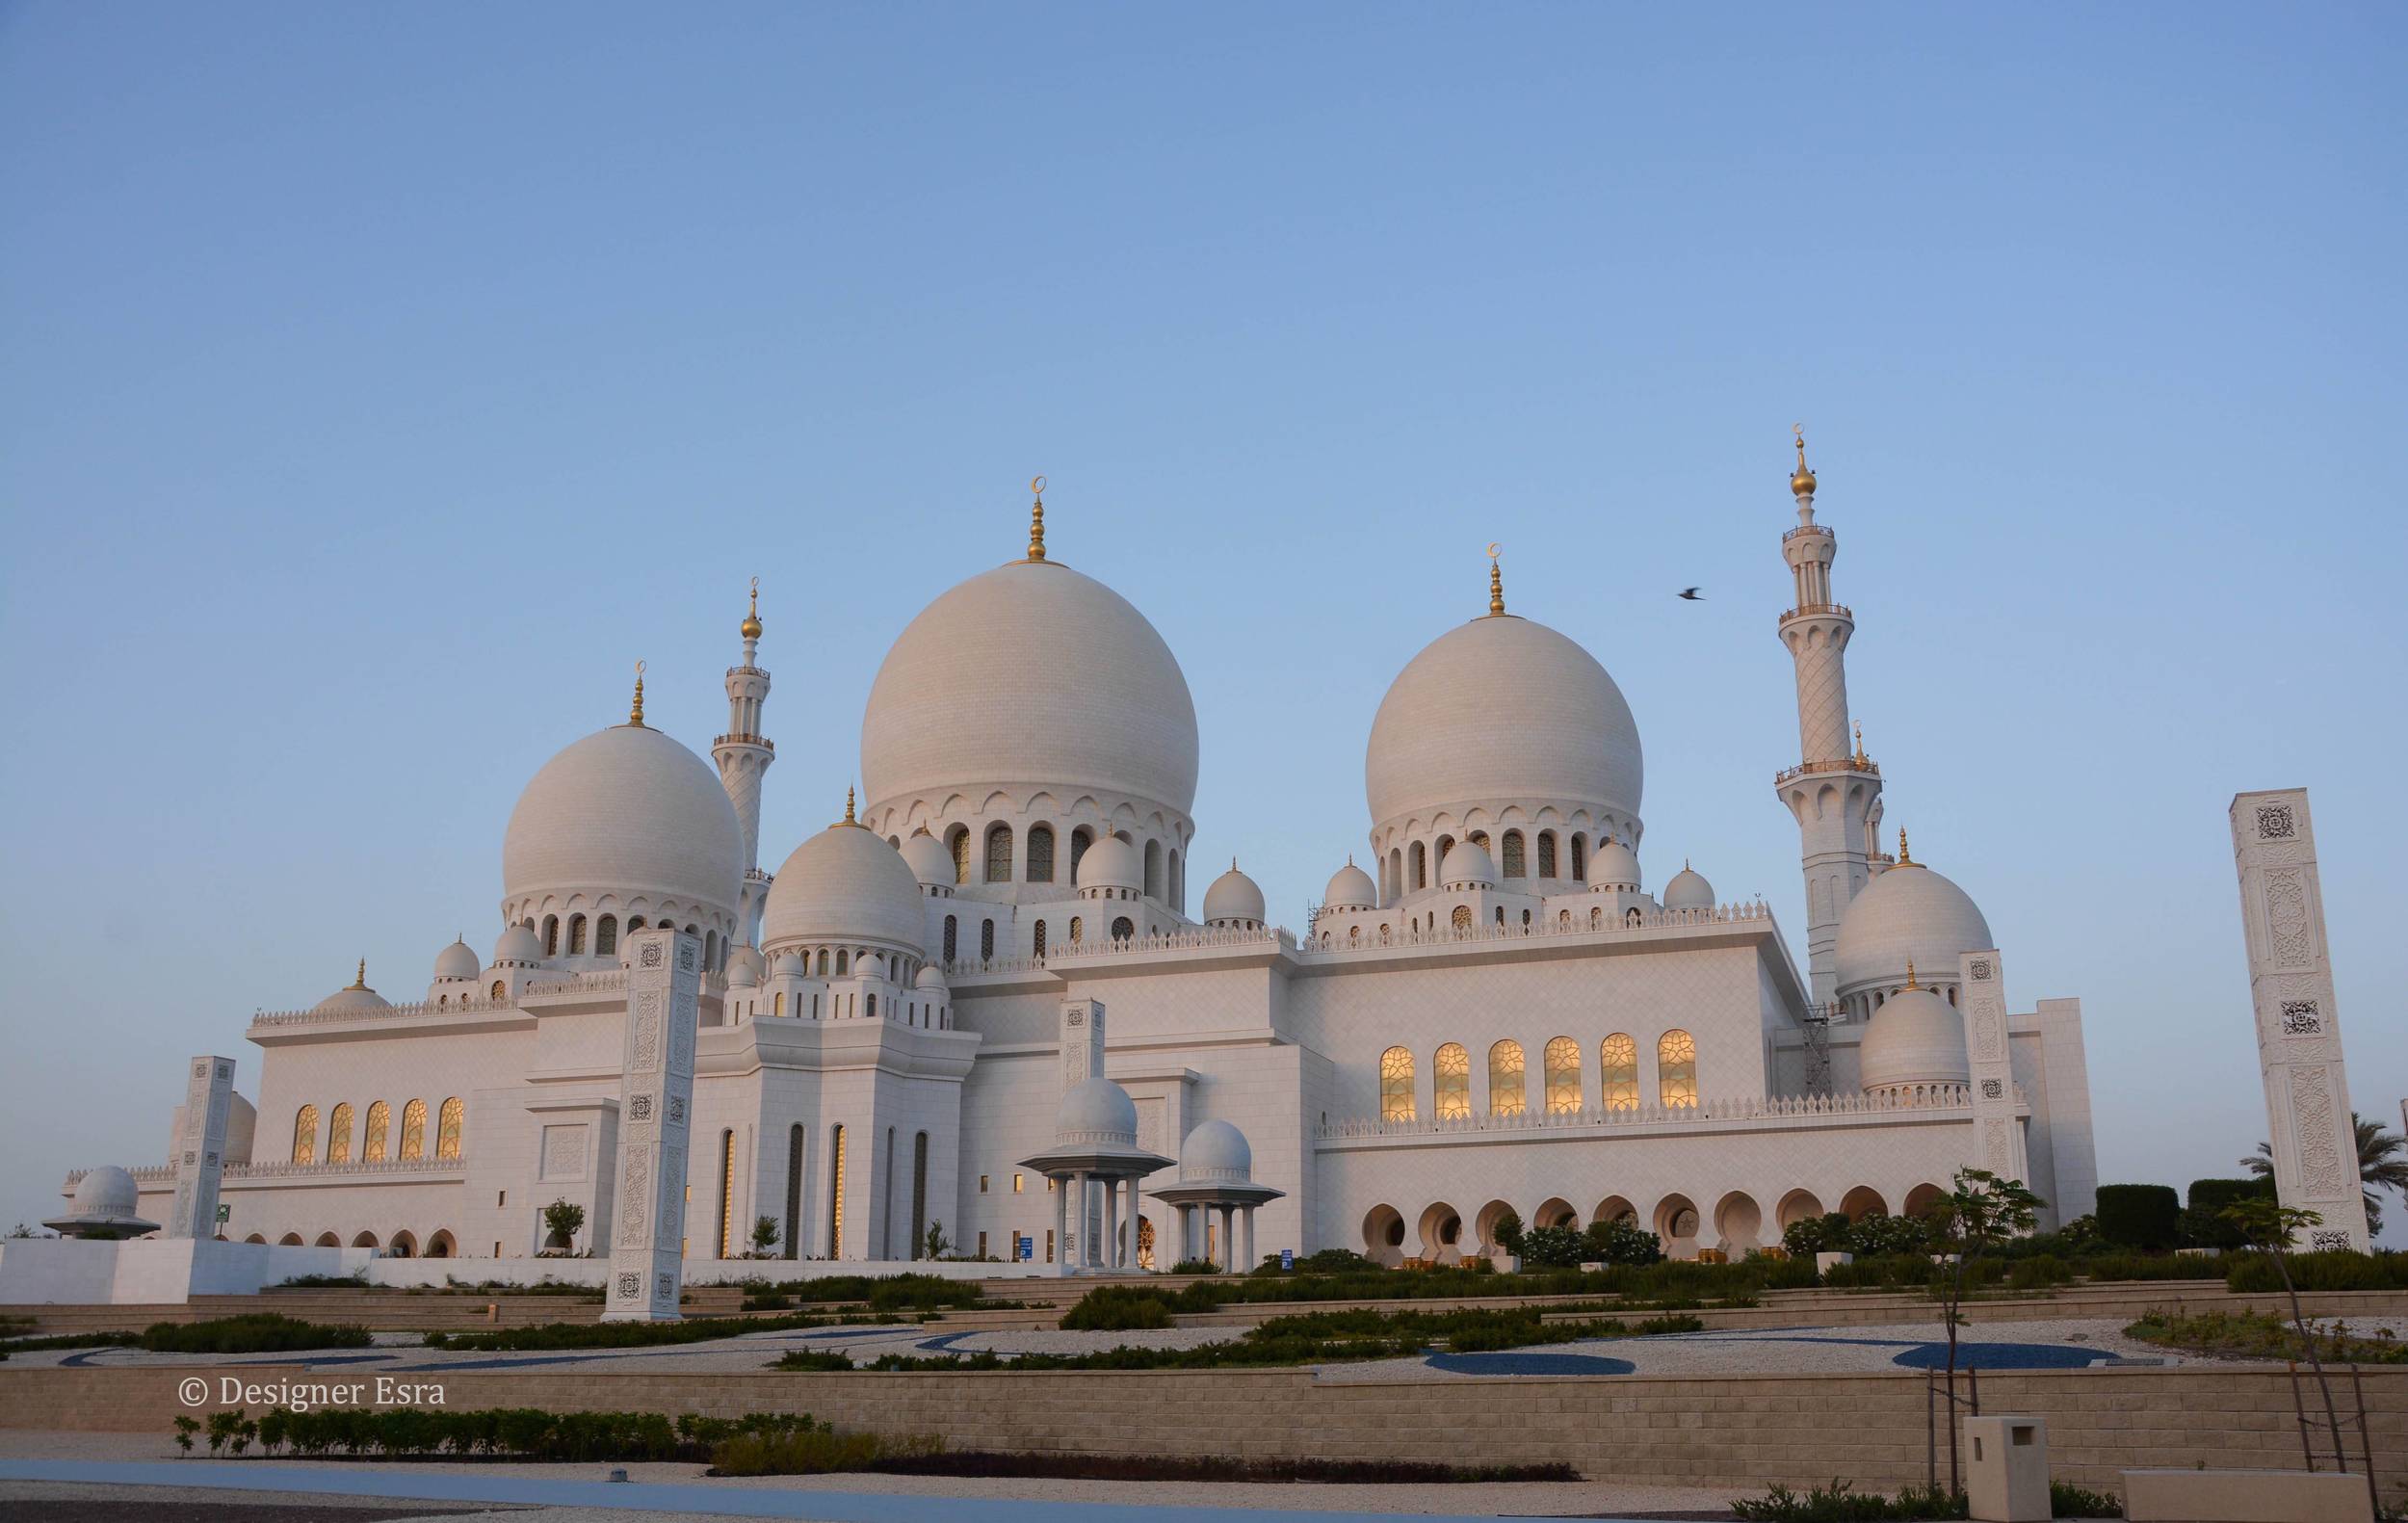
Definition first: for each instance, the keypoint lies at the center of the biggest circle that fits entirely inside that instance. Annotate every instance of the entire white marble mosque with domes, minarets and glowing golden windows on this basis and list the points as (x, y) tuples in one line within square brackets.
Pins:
[(988, 987)]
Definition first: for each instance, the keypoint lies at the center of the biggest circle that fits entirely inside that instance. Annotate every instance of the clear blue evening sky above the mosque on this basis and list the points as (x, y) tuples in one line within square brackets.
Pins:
[(377, 384)]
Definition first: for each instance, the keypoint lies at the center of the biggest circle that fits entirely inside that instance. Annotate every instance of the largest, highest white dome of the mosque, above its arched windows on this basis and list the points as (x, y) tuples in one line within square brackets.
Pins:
[(1032, 676)]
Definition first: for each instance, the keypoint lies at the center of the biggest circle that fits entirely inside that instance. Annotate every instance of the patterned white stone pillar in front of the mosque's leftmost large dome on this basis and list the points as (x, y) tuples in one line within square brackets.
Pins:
[(649, 1225)]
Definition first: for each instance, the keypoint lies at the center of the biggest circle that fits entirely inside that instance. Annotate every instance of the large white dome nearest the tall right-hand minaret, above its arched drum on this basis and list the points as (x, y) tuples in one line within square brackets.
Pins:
[(1504, 712)]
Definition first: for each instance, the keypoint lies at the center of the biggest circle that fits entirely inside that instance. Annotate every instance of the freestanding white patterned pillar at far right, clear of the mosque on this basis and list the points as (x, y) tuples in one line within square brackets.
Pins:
[(2298, 1028)]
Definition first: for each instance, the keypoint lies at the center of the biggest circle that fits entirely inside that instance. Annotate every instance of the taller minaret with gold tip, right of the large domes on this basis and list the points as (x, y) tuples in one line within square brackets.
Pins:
[(1834, 794)]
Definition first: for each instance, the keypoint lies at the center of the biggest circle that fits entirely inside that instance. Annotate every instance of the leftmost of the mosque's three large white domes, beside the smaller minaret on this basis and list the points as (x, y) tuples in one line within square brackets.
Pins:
[(627, 813)]
